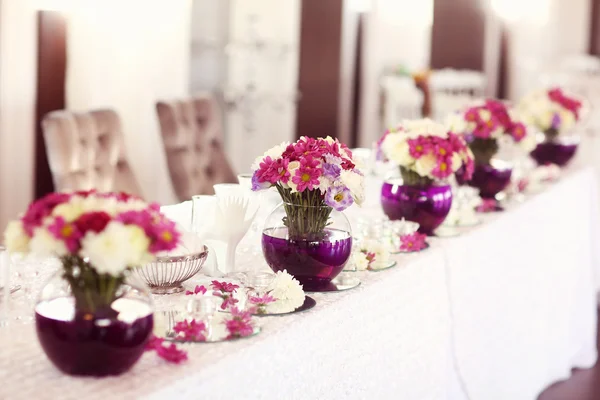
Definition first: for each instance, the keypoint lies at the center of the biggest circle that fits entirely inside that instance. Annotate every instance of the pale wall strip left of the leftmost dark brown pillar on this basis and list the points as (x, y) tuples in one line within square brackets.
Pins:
[(18, 68)]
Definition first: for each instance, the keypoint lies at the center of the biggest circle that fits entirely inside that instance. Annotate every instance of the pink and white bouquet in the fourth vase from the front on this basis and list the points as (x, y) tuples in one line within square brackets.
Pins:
[(485, 124)]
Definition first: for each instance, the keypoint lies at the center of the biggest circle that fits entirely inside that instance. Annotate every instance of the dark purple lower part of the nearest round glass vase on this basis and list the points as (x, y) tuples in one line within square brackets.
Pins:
[(90, 348)]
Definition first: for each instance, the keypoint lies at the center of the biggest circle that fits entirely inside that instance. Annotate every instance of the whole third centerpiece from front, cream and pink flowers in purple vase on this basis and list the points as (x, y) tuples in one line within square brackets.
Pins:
[(427, 154)]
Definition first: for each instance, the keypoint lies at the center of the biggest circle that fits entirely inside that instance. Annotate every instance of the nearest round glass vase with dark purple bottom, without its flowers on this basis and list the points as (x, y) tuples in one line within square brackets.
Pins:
[(94, 341)]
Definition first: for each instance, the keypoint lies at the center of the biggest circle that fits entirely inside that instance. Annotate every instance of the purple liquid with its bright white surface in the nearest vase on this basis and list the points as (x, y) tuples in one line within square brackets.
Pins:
[(88, 345)]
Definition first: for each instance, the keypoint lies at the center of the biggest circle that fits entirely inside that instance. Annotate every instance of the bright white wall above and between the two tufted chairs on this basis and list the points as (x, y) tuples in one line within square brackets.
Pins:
[(125, 59)]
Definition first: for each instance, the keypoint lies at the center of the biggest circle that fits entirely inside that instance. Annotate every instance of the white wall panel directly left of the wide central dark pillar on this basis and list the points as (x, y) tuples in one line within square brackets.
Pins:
[(270, 118)]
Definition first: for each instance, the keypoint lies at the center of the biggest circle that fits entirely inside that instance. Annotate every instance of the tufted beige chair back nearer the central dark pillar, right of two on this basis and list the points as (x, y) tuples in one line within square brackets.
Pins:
[(193, 138)]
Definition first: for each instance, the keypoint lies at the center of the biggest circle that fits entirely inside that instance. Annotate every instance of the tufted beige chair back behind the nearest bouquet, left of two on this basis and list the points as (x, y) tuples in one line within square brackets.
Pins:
[(86, 151)]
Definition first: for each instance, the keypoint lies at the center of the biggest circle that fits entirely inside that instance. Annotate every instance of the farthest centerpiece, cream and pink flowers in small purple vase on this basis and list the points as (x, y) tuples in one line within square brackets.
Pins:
[(555, 114)]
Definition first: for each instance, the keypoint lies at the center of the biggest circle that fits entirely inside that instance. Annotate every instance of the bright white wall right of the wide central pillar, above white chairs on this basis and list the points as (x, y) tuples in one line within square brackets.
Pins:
[(396, 32)]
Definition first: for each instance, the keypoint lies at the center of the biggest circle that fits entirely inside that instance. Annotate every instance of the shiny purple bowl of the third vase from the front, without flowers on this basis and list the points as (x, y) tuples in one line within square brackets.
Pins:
[(427, 205)]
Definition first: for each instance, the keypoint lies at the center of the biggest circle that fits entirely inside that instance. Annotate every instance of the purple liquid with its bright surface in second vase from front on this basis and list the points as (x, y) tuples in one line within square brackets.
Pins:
[(313, 263)]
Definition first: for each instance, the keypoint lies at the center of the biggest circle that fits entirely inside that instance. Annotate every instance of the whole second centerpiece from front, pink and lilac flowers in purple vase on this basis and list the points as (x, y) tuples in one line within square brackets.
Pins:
[(316, 179)]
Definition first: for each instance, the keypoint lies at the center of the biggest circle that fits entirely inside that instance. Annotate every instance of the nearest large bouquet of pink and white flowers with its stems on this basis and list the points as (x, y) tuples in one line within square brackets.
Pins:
[(98, 238)]
